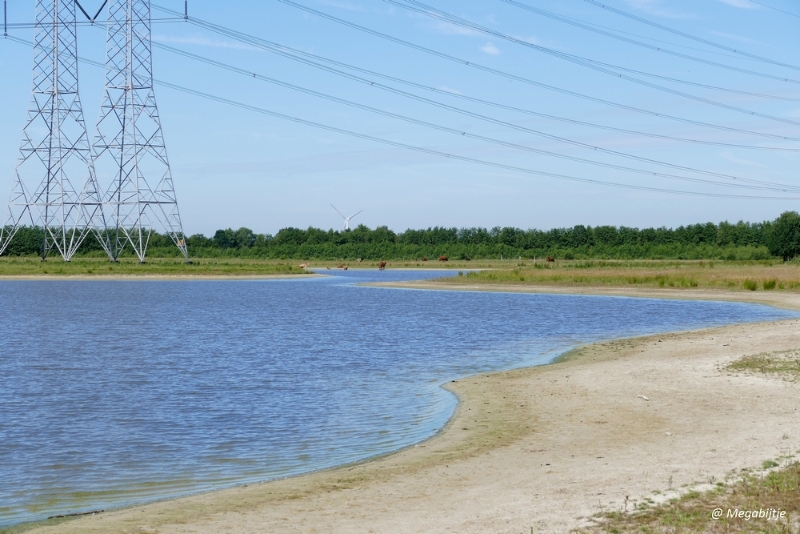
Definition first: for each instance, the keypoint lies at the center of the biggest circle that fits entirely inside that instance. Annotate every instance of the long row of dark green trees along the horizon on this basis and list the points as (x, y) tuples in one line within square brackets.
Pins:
[(740, 241)]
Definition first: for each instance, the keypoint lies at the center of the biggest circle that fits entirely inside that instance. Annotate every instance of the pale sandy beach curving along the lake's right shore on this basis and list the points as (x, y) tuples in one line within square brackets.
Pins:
[(542, 448)]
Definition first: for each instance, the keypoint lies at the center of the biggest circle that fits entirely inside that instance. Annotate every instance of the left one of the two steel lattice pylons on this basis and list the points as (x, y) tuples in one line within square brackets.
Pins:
[(55, 152)]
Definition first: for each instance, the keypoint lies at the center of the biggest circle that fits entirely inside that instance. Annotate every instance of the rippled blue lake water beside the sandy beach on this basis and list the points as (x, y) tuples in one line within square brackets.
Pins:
[(116, 392)]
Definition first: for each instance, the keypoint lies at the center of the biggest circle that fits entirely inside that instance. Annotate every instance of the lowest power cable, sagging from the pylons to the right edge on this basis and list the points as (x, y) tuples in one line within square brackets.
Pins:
[(427, 150)]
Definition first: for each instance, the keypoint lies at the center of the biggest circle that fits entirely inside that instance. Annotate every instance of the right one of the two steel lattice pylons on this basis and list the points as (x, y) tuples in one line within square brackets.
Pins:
[(129, 154)]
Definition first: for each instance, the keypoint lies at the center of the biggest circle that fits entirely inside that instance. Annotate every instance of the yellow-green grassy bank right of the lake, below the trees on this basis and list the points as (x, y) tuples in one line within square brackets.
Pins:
[(768, 275)]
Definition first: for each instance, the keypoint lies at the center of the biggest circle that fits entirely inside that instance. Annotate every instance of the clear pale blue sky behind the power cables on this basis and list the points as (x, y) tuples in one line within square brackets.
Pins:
[(233, 167)]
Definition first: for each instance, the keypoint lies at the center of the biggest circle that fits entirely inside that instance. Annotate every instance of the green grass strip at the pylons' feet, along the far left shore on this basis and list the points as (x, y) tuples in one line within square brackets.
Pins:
[(26, 267)]
